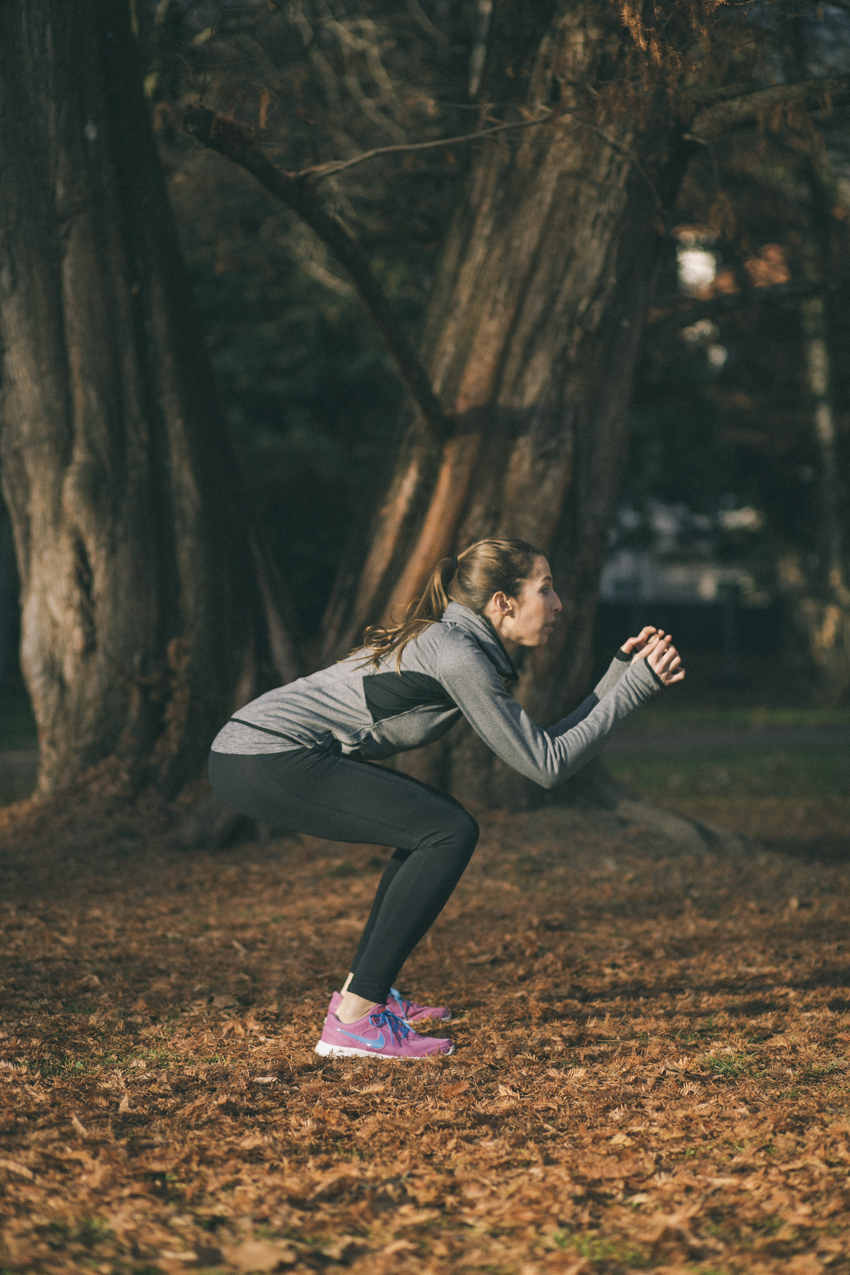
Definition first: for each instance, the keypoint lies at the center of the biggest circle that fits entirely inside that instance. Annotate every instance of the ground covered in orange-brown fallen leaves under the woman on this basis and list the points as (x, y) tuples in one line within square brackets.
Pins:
[(652, 1068)]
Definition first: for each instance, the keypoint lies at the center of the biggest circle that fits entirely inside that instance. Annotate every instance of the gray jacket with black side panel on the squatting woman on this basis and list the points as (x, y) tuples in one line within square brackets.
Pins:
[(457, 667)]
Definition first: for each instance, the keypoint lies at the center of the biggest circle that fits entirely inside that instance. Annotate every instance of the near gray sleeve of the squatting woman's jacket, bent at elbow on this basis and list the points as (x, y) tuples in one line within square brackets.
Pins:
[(549, 758)]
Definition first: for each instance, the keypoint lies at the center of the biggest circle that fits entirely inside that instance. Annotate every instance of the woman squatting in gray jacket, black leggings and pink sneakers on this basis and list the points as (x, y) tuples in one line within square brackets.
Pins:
[(299, 758)]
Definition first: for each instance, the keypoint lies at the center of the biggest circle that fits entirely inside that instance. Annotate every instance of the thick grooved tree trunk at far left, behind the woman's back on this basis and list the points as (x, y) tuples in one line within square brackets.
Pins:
[(141, 606)]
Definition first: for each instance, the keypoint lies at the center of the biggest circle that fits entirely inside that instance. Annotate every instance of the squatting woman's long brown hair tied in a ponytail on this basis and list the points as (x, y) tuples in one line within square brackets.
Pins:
[(472, 579)]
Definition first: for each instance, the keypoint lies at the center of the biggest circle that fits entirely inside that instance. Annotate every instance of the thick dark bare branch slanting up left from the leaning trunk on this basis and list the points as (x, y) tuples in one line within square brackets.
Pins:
[(236, 143)]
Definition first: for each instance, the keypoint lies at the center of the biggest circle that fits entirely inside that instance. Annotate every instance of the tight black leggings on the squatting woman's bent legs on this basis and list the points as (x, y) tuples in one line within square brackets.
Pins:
[(322, 794)]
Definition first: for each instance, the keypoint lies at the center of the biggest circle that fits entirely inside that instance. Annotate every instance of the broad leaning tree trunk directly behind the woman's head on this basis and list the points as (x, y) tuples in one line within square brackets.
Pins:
[(532, 340)]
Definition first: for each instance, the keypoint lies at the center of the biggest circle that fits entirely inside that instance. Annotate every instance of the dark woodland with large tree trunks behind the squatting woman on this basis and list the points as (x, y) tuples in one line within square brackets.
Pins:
[(435, 288)]
